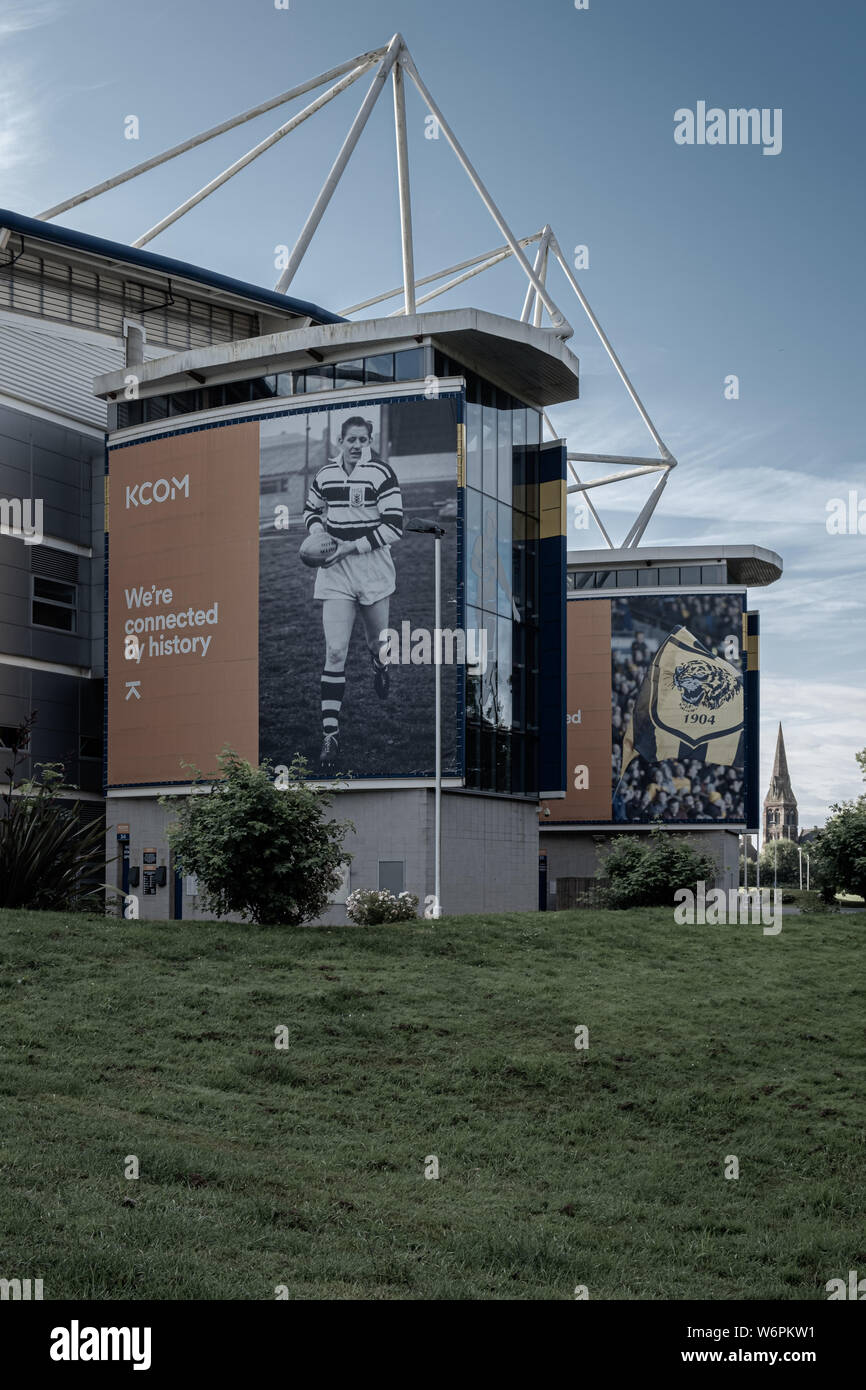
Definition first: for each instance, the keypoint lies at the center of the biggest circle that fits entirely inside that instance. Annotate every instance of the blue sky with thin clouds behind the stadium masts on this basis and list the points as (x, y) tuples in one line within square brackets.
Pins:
[(704, 261)]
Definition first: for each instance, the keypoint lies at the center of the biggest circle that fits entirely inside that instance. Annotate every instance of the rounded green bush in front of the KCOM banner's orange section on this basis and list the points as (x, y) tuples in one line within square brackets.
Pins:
[(259, 849)]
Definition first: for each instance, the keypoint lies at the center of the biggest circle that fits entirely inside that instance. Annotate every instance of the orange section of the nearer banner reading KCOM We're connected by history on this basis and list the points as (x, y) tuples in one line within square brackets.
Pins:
[(183, 604)]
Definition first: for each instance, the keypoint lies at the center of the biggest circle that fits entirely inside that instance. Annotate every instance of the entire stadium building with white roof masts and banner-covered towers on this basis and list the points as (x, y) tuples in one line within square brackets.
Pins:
[(233, 519)]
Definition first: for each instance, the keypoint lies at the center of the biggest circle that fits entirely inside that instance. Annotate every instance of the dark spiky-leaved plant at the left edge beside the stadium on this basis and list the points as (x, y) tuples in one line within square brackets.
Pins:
[(49, 858)]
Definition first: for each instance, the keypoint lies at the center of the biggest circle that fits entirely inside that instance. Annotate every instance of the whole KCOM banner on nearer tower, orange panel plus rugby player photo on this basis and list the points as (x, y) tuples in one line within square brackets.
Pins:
[(268, 593)]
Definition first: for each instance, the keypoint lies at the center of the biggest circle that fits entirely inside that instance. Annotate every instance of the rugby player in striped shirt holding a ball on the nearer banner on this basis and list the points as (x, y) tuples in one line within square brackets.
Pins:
[(357, 500)]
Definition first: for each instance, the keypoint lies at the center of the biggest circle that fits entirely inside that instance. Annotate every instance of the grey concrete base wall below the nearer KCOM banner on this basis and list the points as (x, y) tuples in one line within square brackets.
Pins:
[(490, 850)]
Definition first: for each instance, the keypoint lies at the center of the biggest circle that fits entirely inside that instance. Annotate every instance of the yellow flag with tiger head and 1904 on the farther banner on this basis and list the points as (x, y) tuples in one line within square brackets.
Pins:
[(690, 705)]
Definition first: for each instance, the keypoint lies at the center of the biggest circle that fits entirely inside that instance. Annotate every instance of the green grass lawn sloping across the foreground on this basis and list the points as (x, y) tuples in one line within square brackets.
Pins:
[(557, 1167)]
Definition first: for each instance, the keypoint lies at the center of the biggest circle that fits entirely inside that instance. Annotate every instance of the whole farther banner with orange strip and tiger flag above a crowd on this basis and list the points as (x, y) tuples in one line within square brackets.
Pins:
[(657, 711)]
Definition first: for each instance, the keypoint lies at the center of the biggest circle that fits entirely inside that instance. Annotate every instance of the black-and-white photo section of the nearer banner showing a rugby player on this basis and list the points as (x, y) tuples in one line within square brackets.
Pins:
[(358, 475)]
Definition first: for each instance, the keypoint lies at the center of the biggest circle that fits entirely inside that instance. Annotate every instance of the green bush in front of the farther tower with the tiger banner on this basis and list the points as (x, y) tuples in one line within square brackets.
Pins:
[(647, 871)]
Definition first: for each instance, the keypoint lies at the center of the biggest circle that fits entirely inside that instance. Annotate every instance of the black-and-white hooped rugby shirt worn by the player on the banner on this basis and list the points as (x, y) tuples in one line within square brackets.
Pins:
[(363, 507)]
